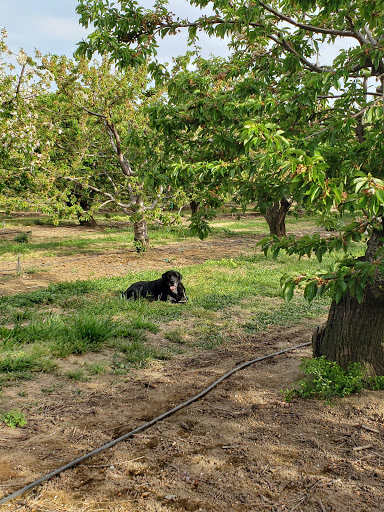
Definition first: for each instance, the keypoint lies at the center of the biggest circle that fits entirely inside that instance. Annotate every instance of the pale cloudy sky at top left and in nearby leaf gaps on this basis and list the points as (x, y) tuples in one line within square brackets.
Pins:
[(52, 26)]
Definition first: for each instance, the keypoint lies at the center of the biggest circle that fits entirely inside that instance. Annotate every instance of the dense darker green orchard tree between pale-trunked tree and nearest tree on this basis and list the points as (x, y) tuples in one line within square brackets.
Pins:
[(202, 119)]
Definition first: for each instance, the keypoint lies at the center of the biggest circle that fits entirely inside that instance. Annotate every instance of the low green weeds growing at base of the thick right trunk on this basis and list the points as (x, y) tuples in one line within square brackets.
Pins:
[(326, 379)]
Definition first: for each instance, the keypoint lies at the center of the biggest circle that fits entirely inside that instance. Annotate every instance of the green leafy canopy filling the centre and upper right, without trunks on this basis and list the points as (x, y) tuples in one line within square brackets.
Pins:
[(271, 121)]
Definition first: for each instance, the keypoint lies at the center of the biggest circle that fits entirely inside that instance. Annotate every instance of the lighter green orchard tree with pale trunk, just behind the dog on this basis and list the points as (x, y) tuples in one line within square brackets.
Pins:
[(107, 156)]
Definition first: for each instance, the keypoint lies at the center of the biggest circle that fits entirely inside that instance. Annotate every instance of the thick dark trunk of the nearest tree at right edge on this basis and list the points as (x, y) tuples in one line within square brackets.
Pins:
[(355, 332)]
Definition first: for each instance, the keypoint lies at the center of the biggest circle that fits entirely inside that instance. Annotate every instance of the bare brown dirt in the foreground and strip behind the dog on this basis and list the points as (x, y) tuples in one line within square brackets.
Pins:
[(241, 448)]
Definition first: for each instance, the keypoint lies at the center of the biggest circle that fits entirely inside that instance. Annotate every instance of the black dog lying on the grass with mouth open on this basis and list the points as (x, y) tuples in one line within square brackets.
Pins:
[(168, 288)]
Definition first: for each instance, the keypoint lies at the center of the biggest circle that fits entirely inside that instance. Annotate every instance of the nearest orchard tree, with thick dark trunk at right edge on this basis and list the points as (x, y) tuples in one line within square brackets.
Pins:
[(338, 106)]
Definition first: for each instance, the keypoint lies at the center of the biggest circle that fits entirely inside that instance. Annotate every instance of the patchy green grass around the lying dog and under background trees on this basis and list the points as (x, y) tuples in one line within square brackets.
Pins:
[(74, 318)]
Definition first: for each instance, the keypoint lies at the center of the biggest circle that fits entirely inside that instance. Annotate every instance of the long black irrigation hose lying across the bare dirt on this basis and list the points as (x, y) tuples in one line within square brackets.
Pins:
[(148, 424)]
